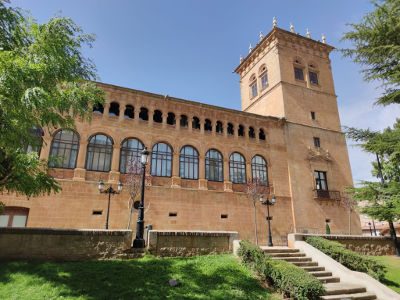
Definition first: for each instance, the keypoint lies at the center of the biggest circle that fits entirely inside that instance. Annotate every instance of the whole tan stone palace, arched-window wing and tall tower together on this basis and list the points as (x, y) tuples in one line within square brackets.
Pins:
[(288, 134)]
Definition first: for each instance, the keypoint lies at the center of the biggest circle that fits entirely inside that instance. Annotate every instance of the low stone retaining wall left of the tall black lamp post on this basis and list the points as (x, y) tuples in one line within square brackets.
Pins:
[(63, 244)]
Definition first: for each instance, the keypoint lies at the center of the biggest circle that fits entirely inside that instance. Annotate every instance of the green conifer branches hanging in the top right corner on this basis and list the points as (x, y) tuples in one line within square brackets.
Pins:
[(376, 46)]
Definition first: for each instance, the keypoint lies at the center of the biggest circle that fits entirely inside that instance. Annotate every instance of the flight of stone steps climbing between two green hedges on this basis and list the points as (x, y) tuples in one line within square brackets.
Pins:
[(334, 288)]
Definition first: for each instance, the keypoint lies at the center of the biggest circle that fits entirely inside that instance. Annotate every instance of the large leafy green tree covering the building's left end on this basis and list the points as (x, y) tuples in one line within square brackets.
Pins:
[(45, 83)]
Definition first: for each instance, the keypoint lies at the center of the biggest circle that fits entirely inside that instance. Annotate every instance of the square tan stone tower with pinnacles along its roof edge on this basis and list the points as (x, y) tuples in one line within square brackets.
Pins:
[(289, 76)]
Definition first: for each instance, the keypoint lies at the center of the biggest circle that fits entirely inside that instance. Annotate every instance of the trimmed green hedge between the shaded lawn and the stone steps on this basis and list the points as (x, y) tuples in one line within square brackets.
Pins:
[(286, 277)]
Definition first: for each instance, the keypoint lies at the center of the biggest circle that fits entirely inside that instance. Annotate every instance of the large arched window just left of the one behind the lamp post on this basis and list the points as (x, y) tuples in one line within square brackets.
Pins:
[(99, 153)]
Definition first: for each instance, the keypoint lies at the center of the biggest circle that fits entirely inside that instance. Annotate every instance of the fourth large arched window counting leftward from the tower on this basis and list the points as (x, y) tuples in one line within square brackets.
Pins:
[(189, 163)]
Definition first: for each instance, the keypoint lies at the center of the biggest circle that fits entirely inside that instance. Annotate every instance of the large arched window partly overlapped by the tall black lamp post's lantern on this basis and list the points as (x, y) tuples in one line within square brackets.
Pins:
[(130, 156)]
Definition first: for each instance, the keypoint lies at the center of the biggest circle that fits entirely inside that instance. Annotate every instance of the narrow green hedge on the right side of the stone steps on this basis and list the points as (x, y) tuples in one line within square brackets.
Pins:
[(348, 258)]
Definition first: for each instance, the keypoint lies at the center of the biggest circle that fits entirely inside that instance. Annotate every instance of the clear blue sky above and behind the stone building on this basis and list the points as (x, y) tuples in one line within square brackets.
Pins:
[(188, 48)]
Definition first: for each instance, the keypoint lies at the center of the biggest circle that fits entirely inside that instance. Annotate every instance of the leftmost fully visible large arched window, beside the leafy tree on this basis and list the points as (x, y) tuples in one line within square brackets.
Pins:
[(64, 149)]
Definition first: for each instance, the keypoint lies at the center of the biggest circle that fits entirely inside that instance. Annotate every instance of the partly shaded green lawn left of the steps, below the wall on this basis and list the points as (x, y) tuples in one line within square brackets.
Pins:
[(202, 277)]
